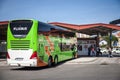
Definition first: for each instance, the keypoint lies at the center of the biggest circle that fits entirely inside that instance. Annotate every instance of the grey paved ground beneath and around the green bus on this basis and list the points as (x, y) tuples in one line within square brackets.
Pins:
[(82, 68)]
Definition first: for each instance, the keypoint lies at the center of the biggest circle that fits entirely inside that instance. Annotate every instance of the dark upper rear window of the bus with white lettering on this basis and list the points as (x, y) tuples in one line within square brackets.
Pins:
[(20, 28)]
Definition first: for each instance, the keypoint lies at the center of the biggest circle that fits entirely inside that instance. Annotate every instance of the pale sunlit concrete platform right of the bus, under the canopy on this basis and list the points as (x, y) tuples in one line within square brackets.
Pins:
[(95, 60)]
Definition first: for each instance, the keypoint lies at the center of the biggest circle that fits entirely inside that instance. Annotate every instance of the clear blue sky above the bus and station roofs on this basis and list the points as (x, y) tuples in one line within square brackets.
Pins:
[(67, 11)]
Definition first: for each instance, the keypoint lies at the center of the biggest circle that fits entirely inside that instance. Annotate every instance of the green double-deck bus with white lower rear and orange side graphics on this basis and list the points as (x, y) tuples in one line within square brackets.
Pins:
[(34, 43)]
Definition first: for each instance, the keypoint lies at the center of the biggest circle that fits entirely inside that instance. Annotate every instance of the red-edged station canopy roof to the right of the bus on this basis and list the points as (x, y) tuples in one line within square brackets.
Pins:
[(90, 29)]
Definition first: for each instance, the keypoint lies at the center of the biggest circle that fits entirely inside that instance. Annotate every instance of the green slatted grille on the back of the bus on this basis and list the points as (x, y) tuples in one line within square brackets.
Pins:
[(20, 44)]
